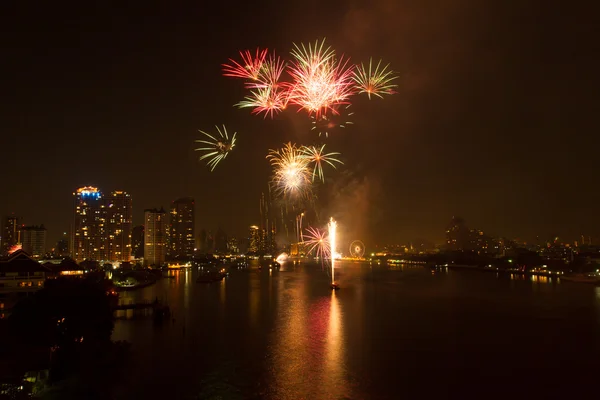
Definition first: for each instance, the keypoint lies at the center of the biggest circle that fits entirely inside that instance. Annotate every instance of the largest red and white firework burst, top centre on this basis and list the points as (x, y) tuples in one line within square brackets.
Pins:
[(320, 81)]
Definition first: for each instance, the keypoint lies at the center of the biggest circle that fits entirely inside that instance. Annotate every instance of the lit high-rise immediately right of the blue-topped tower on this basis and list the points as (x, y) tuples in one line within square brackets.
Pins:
[(118, 226)]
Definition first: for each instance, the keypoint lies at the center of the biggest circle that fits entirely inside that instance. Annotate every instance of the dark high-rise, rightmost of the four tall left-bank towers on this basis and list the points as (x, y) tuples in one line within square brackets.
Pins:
[(181, 230)]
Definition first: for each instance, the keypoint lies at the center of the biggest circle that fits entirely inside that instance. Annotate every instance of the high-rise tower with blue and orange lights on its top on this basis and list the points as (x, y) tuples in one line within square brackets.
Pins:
[(88, 237)]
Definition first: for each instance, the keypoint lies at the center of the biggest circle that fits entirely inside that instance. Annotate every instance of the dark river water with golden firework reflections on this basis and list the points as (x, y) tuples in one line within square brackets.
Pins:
[(387, 334)]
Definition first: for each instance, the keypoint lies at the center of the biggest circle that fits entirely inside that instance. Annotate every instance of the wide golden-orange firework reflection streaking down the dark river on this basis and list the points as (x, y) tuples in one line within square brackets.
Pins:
[(308, 351)]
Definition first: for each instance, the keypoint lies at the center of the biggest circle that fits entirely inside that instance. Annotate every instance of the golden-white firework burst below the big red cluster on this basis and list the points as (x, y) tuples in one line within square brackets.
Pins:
[(291, 173)]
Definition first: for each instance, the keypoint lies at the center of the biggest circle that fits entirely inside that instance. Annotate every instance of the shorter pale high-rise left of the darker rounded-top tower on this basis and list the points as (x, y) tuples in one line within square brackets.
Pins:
[(155, 236)]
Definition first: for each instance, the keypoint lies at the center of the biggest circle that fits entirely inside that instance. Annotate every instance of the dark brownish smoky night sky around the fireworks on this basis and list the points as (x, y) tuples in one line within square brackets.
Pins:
[(494, 120)]
